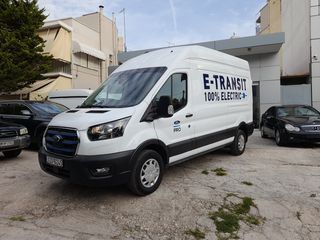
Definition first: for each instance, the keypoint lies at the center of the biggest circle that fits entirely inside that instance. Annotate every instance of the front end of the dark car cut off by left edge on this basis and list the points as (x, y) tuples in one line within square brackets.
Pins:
[(13, 138)]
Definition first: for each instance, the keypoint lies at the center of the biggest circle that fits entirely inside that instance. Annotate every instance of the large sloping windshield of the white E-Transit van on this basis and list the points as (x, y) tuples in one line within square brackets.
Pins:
[(124, 89)]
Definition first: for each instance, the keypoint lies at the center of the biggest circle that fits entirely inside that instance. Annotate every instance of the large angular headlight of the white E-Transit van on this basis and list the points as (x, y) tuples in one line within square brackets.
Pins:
[(108, 130)]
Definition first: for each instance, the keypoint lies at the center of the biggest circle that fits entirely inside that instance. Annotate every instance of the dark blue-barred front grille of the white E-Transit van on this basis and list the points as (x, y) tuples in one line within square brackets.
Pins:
[(62, 141)]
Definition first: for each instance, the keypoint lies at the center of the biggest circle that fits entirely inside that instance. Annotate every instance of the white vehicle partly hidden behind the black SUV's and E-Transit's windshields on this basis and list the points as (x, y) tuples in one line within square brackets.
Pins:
[(71, 98)]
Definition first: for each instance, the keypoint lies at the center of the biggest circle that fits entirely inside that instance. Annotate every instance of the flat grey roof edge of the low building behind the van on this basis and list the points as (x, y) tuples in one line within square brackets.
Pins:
[(261, 44)]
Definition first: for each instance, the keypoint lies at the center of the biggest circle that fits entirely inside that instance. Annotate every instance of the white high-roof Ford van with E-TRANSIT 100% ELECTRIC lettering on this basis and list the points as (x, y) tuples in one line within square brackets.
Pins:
[(155, 110)]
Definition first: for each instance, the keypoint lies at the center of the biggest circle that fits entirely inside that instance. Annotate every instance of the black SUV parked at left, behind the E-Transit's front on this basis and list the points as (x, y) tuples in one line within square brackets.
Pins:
[(34, 115)]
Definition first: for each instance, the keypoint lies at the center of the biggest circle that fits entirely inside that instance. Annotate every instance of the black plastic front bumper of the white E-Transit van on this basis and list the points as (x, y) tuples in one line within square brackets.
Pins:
[(79, 169)]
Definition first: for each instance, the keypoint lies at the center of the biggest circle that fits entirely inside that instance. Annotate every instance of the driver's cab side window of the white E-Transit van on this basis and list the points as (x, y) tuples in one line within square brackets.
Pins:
[(176, 88)]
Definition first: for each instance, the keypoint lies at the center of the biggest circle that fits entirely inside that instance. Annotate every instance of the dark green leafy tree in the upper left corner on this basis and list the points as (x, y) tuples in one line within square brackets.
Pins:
[(21, 49)]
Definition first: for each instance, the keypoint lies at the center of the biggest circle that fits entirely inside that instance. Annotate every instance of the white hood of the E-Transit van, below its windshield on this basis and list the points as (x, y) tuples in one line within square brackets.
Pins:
[(83, 118)]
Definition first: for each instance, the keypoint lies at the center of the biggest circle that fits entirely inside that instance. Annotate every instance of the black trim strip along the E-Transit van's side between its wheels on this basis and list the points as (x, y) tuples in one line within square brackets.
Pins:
[(191, 144)]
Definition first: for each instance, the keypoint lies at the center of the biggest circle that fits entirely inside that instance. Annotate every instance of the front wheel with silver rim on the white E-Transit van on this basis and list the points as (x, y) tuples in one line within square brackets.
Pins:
[(147, 158)]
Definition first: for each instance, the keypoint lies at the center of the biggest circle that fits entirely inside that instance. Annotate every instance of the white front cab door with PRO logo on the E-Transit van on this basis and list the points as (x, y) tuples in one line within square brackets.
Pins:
[(176, 132)]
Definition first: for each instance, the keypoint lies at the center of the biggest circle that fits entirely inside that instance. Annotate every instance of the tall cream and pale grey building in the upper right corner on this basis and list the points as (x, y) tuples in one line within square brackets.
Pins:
[(300, 63)]
